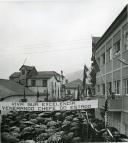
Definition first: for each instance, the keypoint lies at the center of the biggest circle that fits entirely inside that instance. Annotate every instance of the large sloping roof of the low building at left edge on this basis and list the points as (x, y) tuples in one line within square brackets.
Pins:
[(8, 88)]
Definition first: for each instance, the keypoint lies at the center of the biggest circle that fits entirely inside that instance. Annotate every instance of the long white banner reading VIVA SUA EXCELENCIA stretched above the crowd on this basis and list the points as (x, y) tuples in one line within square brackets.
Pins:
[(48, 106)]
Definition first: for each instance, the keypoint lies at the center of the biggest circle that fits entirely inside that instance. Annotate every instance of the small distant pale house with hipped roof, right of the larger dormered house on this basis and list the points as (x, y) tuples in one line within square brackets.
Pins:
[(74, 89)]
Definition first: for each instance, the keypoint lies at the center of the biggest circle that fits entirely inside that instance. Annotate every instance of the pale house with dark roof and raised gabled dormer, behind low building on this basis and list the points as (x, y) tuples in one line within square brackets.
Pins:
[(43, 83)]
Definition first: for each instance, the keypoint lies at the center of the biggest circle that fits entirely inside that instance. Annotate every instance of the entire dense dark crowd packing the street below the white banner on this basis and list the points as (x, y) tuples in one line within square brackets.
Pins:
[(73, 126)]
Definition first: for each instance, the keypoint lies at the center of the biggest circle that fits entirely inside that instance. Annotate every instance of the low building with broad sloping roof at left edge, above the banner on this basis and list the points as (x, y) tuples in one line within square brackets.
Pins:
[(12, 91)]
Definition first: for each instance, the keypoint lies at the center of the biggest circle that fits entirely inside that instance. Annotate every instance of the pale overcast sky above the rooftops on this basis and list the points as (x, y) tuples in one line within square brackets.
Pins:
[(52, 34)]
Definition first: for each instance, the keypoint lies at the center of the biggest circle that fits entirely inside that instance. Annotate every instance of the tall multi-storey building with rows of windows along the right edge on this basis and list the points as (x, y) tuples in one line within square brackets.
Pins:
[(111, 54)]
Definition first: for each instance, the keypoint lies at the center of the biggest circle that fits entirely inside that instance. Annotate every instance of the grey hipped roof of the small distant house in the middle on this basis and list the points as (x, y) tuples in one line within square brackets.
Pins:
[(74, 84)]
